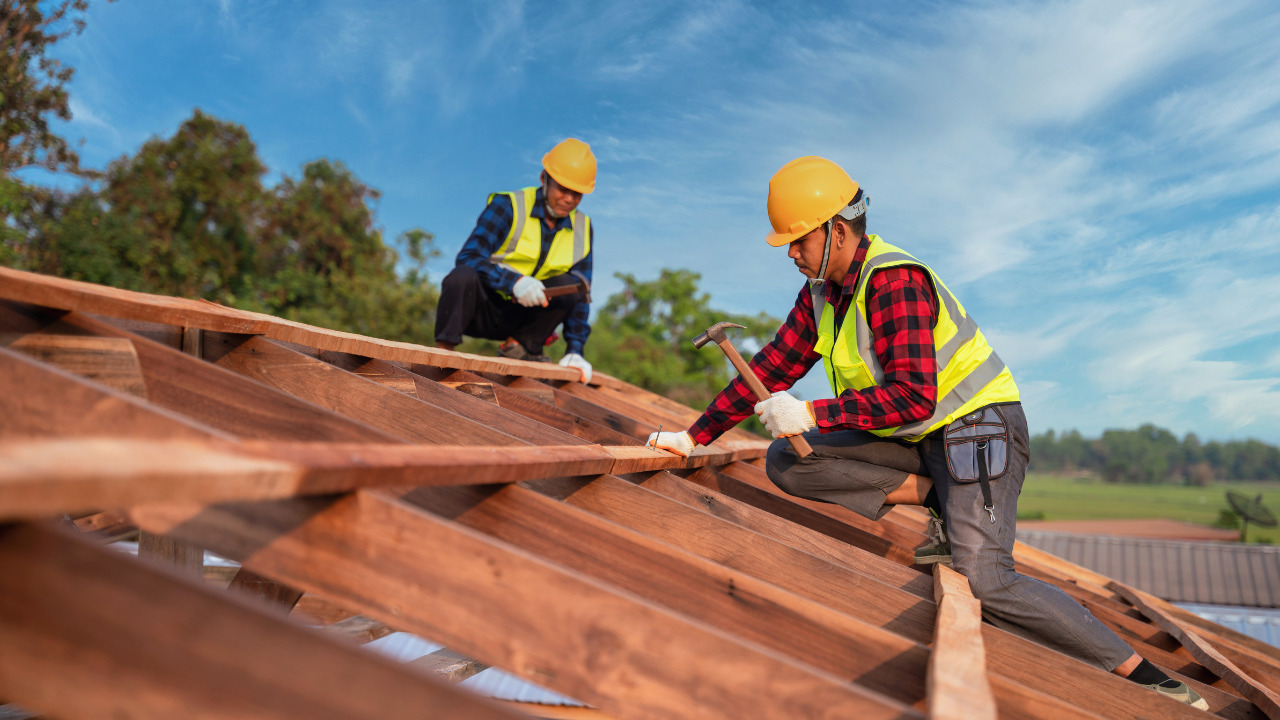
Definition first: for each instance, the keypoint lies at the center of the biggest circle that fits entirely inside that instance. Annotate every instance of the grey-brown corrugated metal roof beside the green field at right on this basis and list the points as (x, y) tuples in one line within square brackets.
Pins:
[(1209, 573)]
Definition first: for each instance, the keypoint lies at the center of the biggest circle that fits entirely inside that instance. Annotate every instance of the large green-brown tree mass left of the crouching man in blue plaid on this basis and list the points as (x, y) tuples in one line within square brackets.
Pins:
[(189, 216)]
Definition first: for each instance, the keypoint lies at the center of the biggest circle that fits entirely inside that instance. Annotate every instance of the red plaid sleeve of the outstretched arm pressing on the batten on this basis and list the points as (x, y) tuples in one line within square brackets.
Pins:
[(779, 364)]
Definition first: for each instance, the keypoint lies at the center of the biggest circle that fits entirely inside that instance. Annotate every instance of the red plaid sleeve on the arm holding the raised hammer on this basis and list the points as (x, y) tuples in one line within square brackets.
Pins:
[(902, 308)]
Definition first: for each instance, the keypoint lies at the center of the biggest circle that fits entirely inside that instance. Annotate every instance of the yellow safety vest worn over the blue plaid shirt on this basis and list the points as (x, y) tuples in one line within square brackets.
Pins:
[(524, 243)]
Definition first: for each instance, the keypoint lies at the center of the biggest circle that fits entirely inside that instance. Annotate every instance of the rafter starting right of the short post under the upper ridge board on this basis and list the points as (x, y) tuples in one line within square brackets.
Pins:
[(348, 394)]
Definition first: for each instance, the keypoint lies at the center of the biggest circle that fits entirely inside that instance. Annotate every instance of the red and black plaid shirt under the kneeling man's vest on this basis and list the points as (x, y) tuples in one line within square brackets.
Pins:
[(902, 309)]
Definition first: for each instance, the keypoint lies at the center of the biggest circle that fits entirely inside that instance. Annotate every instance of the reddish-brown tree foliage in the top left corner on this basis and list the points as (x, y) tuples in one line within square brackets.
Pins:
[(33, 85)]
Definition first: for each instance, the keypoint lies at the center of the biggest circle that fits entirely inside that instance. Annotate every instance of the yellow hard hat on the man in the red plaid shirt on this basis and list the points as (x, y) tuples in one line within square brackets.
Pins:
[(806, 194)]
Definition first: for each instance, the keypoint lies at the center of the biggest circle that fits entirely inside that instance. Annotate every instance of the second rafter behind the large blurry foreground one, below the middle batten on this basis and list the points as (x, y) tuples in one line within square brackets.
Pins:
[(764, 558)]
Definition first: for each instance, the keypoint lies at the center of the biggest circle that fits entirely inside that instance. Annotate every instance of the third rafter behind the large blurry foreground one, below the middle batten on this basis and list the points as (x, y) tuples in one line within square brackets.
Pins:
[(790, 534)]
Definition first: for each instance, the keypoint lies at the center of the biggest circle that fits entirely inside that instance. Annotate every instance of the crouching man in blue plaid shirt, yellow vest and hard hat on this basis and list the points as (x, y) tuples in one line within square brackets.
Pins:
[(525, 243)]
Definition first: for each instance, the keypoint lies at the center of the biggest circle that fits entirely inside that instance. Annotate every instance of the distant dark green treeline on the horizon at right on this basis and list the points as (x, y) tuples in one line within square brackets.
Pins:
[(1154, 455)]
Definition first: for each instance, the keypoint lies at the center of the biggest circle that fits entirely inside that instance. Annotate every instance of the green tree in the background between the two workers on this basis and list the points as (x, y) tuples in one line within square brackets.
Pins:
[(643, 335)]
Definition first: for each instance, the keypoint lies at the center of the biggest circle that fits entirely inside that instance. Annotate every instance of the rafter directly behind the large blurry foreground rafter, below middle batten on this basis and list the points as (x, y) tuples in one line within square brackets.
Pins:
[(735, 603)]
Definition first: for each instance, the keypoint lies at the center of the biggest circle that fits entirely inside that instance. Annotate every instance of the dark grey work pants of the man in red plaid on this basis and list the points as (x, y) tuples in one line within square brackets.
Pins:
[(858, 470)]
